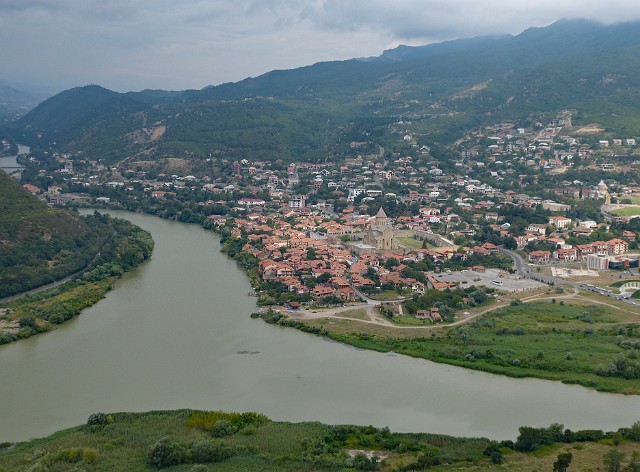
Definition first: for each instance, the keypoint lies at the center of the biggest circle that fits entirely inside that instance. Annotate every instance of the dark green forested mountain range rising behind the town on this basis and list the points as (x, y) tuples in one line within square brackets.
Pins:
[(313, 112)]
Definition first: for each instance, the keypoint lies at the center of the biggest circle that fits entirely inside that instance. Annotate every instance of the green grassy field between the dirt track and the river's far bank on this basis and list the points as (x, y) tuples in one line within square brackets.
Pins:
[(572, 338)]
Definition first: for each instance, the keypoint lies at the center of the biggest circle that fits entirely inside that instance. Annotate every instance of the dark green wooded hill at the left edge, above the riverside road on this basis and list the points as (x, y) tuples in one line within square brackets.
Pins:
[(40, 244)]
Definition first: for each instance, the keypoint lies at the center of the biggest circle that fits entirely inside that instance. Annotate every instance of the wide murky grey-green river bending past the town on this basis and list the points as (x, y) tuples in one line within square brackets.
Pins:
[(176, 333)]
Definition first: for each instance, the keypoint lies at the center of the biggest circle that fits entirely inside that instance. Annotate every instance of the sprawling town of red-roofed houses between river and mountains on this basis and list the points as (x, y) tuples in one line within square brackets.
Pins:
[(395, 222)]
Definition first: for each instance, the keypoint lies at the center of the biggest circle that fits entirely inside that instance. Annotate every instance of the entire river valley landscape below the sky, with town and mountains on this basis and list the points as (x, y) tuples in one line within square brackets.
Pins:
[(450, 230)]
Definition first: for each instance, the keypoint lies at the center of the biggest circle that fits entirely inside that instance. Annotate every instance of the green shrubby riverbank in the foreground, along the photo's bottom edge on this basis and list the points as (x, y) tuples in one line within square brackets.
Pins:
[(187, 440)]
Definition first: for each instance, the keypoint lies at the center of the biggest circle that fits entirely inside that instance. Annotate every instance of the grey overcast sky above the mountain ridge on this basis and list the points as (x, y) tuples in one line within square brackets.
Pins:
[(178, 44)]
